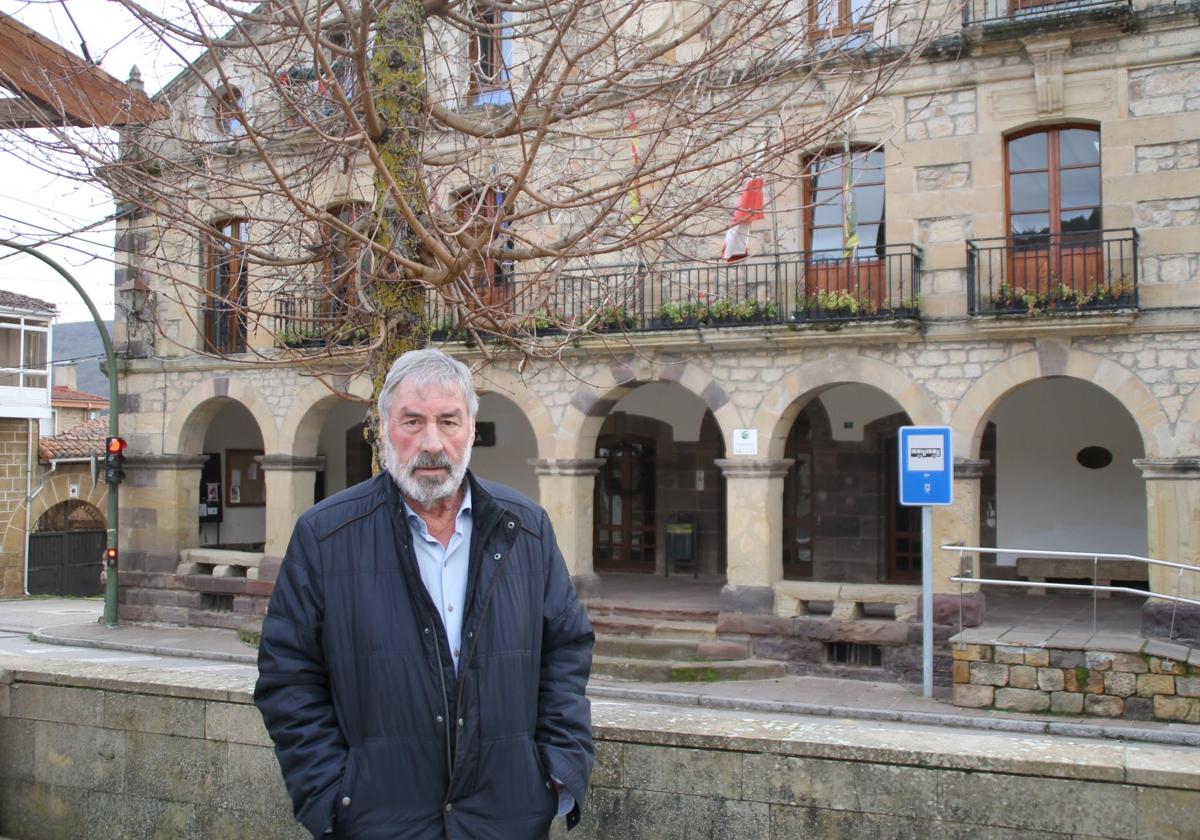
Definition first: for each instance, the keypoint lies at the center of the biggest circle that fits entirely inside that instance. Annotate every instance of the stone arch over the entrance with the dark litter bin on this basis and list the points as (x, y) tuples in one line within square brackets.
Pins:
[(591, 405)]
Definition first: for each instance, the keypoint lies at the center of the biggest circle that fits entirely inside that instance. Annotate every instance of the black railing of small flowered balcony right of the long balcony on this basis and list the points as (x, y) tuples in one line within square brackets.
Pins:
[(1054, 274)]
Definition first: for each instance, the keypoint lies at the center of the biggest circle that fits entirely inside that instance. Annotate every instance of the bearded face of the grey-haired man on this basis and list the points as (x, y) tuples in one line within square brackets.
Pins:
[(428, 442)]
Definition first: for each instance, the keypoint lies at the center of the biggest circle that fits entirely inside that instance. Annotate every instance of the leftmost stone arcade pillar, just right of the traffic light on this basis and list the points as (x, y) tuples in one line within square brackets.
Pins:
[(159, 512)]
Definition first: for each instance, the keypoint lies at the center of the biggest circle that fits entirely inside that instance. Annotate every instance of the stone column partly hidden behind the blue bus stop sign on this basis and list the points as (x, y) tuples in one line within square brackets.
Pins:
[(958, 524)]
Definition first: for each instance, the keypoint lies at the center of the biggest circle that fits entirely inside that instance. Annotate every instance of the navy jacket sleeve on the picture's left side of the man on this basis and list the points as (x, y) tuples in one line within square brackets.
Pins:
[(293, 689)]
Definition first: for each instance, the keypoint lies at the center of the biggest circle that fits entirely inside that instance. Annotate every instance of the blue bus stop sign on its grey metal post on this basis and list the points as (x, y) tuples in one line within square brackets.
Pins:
[(927, 479)]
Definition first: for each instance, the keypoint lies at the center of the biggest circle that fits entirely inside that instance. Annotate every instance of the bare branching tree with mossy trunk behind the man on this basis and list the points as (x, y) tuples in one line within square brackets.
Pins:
[(363, 173)]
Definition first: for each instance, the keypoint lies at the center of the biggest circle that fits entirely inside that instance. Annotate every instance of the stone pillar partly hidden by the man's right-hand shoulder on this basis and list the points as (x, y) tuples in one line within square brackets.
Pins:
[(567, 488)]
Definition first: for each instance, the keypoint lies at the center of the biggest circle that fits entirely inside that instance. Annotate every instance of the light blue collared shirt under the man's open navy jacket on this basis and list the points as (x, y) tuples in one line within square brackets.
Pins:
[(445, 569)]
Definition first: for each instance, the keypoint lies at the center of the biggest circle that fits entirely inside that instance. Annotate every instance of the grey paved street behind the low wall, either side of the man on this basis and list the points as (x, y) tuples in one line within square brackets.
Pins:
[(71, 629)]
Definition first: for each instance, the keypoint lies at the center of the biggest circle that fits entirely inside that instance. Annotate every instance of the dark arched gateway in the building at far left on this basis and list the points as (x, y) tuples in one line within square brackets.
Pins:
[(65, 551)]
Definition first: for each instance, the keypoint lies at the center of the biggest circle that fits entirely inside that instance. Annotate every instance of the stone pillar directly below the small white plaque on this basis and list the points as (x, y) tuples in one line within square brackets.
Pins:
[(754, 518)]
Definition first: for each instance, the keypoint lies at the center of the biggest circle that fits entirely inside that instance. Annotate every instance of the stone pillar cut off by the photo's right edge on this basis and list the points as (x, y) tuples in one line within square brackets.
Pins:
[(1173, 532)]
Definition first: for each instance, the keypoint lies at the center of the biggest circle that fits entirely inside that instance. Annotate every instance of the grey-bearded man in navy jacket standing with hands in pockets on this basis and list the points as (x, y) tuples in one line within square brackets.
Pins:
[(424, 657)]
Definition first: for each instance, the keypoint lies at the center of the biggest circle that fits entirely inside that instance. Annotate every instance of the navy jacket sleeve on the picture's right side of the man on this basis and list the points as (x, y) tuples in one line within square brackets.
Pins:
[(565, 713)]
